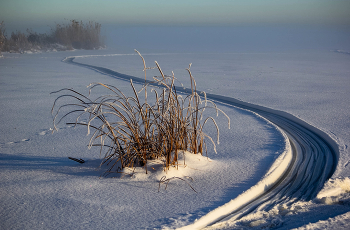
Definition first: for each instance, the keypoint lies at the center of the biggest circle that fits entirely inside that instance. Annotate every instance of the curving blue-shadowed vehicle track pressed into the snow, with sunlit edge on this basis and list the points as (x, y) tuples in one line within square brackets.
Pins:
[(313, 159)]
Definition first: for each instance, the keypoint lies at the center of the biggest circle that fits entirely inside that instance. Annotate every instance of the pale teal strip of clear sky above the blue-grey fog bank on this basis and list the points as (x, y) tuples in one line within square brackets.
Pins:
[(33, 13)]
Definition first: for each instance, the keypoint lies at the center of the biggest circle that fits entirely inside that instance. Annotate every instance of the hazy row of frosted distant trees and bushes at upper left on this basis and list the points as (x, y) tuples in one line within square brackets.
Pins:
[(74, 35)]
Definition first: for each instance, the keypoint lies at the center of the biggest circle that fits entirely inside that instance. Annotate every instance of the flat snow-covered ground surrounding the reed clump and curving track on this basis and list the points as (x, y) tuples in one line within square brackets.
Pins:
[(40, 188)]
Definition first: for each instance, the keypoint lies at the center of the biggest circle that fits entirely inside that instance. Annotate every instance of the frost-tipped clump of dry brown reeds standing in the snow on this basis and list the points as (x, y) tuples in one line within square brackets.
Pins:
[(130, 132)]
